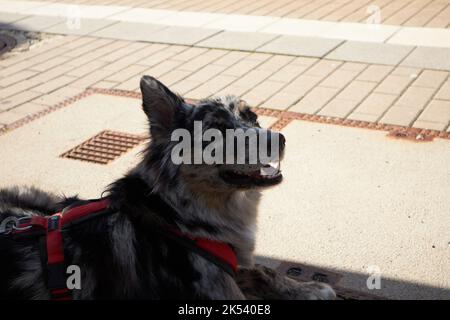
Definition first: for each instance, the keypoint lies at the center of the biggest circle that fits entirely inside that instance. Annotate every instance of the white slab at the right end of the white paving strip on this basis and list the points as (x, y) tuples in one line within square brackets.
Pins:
[(424, 37)]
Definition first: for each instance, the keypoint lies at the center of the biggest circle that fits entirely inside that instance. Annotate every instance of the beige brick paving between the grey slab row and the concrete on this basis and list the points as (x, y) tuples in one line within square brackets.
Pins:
[(377, 93)]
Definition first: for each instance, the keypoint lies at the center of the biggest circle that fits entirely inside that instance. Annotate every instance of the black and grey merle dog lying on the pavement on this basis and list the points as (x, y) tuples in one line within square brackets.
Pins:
[(125, 254)]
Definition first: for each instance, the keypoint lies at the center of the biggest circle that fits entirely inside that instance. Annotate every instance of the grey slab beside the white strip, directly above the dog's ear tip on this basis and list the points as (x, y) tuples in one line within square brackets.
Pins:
[(129, 31)]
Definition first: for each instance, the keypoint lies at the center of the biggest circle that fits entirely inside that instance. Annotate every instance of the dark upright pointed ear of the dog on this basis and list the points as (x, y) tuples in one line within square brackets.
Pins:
[(160, 105)]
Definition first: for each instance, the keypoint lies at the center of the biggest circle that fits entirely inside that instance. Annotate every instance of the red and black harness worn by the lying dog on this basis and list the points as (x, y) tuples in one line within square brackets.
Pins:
[(220, 253)]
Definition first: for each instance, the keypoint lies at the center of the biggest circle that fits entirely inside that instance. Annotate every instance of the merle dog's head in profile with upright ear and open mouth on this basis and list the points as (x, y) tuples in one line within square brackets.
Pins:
[(216, 144)]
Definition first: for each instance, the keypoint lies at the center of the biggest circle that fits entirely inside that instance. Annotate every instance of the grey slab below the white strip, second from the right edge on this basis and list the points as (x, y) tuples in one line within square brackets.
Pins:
[(379, 53)]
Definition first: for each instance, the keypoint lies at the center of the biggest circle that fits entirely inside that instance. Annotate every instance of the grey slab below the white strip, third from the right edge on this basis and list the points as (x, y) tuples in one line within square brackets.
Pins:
[(300, 46)]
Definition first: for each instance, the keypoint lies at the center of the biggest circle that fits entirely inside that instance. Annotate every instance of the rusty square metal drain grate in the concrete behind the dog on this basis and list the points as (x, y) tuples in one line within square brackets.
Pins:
[(104, 147)]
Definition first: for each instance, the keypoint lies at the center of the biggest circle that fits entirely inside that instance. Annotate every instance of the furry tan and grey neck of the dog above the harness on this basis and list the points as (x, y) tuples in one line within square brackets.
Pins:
[(223, 216)]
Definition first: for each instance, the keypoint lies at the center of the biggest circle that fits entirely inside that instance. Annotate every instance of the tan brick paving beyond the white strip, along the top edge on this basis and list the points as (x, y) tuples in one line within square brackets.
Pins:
[(413, 13)]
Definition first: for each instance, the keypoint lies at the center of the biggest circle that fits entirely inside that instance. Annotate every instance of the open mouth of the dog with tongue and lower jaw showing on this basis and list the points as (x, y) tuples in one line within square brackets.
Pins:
[(268, 175)]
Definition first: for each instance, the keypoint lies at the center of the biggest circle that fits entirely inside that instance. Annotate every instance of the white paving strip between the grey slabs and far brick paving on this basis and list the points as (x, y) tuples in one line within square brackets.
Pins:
[(431, 37)]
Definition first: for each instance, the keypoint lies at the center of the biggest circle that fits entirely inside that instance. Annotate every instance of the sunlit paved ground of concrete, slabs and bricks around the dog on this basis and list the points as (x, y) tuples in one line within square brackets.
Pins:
[(365, 108)]
